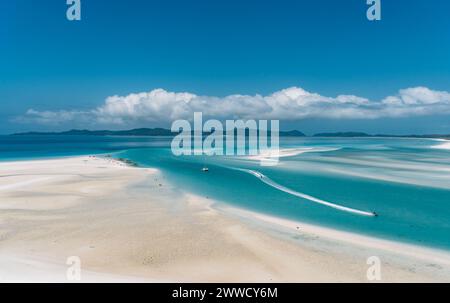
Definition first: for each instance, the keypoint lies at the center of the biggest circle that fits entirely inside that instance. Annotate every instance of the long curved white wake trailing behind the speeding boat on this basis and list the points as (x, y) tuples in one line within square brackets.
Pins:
[(272, 183)]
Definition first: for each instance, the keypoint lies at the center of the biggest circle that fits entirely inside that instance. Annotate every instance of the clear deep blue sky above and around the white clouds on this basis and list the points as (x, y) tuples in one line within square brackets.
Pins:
[(217, 48)]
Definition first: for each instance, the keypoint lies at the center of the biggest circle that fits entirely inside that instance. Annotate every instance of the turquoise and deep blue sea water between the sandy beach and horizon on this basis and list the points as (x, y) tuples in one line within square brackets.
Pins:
[(405, 181)]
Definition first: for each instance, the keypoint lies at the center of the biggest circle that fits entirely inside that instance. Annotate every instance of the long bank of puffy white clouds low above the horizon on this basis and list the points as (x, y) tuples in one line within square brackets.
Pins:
[(161, 106)]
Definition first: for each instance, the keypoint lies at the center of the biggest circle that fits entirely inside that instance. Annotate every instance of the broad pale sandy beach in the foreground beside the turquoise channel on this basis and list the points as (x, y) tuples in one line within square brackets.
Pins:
[(130, 224)]
